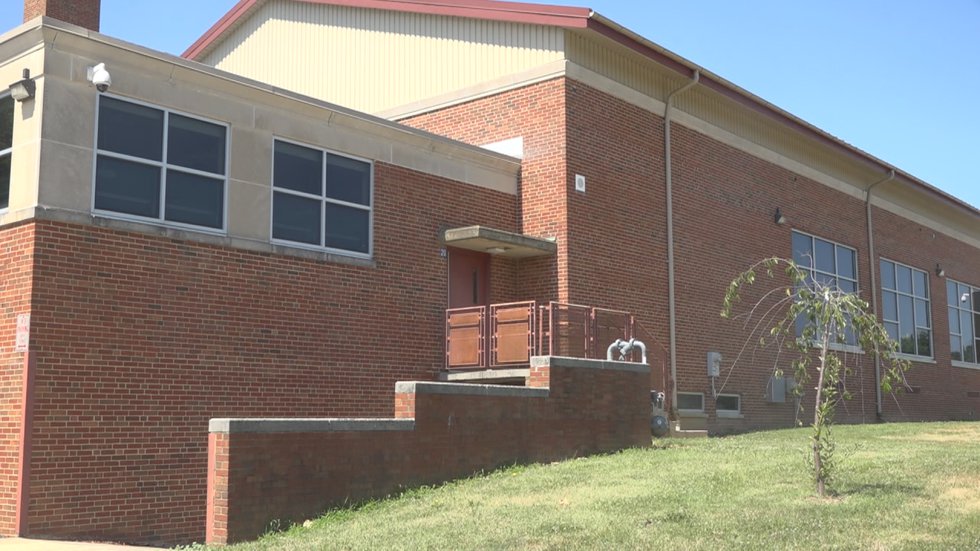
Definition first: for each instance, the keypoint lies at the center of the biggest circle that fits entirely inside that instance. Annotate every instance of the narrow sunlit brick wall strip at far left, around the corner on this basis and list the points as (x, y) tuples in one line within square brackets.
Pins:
[(16, 250)]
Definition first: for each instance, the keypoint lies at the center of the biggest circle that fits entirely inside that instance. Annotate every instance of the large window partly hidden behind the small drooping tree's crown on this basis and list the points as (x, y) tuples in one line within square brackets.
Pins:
[(826, 263)]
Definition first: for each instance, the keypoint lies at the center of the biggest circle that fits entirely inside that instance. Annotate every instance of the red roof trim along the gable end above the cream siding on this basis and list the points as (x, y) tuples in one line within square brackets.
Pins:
[(512, 12)]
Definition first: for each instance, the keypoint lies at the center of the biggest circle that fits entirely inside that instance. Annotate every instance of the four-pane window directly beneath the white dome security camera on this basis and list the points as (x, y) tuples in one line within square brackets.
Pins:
[(155, 164)]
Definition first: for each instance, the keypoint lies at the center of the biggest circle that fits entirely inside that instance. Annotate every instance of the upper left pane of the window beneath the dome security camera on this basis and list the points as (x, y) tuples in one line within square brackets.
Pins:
[(130, 129)]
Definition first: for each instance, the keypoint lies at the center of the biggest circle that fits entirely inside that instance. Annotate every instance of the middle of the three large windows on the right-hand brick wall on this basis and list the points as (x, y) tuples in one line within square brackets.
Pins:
[(905, 308)]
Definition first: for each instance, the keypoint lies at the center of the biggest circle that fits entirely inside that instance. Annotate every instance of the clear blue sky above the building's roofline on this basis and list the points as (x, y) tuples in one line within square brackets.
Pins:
[(899, 79)]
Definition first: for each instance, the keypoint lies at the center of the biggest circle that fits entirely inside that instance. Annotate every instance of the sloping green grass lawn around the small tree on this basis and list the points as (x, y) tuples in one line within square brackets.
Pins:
[(898, 486)]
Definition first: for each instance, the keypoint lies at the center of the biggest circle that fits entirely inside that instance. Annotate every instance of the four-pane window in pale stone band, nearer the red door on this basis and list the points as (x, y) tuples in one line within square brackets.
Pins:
[(321, 199)]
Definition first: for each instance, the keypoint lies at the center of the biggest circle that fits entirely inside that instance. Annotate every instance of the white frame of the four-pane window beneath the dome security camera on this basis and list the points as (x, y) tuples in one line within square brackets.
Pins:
[(164, 166)]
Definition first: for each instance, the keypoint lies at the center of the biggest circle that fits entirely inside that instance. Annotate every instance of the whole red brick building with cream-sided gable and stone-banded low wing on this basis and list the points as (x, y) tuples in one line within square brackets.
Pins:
[(264, 253)]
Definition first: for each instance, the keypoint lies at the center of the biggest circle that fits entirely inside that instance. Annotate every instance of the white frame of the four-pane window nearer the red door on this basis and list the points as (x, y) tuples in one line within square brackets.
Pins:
[(323, 200)]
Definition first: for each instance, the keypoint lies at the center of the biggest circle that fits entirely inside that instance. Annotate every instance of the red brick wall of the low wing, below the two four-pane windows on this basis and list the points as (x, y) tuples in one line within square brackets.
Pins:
[(140, 340)]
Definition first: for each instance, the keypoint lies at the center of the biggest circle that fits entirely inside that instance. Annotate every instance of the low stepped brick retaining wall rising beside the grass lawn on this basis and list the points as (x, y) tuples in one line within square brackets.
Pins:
[(587, 410)]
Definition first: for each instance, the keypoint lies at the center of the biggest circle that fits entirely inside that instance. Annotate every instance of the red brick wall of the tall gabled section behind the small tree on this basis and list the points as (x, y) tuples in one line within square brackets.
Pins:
[(613, 249)]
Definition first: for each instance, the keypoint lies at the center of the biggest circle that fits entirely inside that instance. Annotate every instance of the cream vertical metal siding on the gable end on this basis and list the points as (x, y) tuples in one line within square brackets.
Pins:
[(372, 60)]
